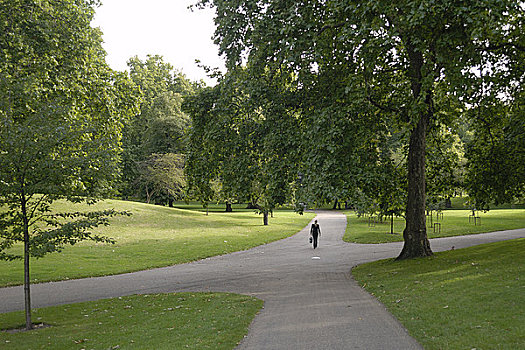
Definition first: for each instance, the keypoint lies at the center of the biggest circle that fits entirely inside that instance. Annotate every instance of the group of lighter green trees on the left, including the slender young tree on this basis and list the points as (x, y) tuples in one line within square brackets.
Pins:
[(73, 129)]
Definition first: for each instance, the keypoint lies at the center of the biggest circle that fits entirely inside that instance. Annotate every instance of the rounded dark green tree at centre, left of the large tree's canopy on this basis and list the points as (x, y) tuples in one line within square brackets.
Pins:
[(233, 144)]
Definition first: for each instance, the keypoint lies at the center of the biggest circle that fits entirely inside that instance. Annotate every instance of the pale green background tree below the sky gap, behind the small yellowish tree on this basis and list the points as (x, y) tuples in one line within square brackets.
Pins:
[(160, 127)]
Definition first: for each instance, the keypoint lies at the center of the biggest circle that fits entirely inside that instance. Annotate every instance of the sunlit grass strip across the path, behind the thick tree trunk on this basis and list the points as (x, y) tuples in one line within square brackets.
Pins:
[(453, 223)]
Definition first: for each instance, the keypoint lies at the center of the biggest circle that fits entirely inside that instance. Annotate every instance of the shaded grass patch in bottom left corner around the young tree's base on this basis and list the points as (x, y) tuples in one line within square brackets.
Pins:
[(165, 321)]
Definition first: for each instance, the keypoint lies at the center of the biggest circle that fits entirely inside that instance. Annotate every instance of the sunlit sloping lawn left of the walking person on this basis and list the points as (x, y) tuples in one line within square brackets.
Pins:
[(155, 236)]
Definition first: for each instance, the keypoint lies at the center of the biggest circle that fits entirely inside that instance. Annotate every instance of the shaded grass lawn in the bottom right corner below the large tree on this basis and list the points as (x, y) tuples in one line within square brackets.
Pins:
[(462, 299)]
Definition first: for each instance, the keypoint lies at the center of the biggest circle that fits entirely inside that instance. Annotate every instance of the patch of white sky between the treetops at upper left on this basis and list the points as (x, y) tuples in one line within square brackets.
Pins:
[(159, 27)]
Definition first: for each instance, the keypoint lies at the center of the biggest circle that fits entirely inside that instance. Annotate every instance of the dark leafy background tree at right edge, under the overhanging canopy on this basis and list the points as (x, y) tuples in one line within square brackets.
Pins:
[(496, 154)]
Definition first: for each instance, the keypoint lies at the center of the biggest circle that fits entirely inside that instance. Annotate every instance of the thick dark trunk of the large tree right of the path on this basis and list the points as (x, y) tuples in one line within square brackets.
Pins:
[(415, 233)]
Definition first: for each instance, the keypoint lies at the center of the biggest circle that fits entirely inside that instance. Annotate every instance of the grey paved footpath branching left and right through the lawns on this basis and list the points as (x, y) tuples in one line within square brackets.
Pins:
[(311, 300)]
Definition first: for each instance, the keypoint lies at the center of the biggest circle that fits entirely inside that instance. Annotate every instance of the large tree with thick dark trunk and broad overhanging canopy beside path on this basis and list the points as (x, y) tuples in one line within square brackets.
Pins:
[(403, 61)]
